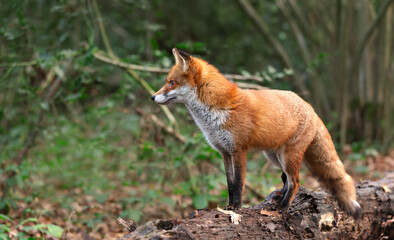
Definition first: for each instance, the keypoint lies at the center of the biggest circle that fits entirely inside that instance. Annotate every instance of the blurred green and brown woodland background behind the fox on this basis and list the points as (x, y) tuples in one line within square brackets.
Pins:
[(81, 143)]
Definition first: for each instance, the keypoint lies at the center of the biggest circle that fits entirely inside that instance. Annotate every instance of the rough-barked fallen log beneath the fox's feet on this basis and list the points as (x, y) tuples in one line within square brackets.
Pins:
[(312, 215)]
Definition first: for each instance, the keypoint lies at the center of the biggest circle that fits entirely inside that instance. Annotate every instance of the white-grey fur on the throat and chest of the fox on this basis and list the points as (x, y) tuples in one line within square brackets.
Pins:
[(210, 121)]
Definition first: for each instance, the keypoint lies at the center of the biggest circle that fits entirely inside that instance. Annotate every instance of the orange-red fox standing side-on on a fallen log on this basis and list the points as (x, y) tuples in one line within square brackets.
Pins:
[(280, 123)]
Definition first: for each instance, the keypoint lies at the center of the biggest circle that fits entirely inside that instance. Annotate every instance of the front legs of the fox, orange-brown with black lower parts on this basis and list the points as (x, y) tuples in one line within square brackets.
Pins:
[(235, 165)]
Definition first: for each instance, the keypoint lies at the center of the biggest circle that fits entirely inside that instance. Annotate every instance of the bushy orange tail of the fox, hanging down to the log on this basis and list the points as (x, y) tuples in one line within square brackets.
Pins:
[(323, 161)]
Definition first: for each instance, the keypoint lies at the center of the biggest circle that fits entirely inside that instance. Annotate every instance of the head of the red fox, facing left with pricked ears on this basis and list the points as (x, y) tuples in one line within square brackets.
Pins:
[(180, 80)]
